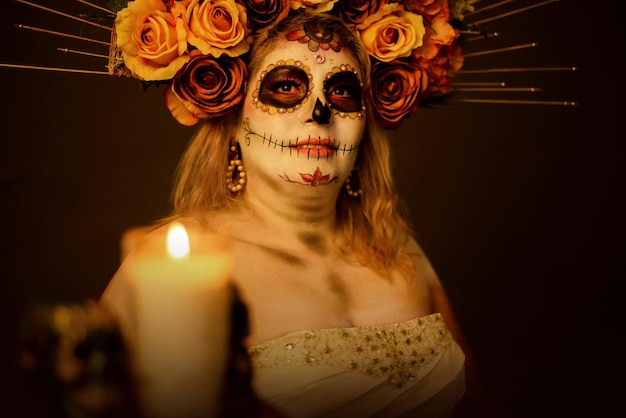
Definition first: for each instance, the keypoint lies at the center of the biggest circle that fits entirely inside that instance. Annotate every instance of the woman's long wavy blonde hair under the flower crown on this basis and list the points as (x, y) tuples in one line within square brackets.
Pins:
[(373, 226)]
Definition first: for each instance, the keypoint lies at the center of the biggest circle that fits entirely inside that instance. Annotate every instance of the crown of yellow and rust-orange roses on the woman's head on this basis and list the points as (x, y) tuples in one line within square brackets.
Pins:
[(200, 47)]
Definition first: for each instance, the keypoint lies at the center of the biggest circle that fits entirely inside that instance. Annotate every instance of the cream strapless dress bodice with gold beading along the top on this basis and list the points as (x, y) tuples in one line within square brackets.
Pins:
[(412, 368)]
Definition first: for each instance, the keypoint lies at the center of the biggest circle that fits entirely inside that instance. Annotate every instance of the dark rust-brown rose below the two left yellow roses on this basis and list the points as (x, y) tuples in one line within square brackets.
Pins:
[(206, 88)]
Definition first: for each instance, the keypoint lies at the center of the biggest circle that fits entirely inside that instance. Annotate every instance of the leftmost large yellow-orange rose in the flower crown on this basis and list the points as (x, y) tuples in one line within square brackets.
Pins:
[(152, 40)]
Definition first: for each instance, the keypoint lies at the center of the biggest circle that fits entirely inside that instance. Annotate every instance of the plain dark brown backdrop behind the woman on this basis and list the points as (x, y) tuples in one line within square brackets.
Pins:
[(520, 208)]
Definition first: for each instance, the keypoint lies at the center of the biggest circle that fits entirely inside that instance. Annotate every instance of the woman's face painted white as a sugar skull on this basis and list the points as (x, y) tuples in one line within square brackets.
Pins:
[(303, 117)]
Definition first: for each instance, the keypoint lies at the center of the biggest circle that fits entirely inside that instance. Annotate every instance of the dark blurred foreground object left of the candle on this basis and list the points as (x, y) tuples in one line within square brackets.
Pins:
[(74, 362)]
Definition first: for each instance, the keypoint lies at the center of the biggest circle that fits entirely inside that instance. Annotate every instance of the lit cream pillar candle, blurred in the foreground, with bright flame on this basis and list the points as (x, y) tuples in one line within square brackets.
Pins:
[(183, 302)]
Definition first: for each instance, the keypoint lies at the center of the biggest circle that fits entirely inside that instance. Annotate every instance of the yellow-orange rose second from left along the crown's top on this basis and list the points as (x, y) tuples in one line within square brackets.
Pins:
[(218, 27)]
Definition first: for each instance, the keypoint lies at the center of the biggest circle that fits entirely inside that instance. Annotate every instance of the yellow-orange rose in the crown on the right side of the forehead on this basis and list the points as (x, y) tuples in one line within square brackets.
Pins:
[(391, 33)]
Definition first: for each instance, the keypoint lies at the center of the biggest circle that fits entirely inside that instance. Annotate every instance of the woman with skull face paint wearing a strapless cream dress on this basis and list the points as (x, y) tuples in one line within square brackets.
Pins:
[(347, 317)]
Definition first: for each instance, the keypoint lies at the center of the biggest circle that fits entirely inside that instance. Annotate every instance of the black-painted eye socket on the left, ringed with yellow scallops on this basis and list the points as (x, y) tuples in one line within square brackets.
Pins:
[(284, 86)]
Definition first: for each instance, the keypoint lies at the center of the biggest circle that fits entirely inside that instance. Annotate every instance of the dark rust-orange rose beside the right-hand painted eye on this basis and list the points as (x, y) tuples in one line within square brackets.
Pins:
[(395, 91)]
